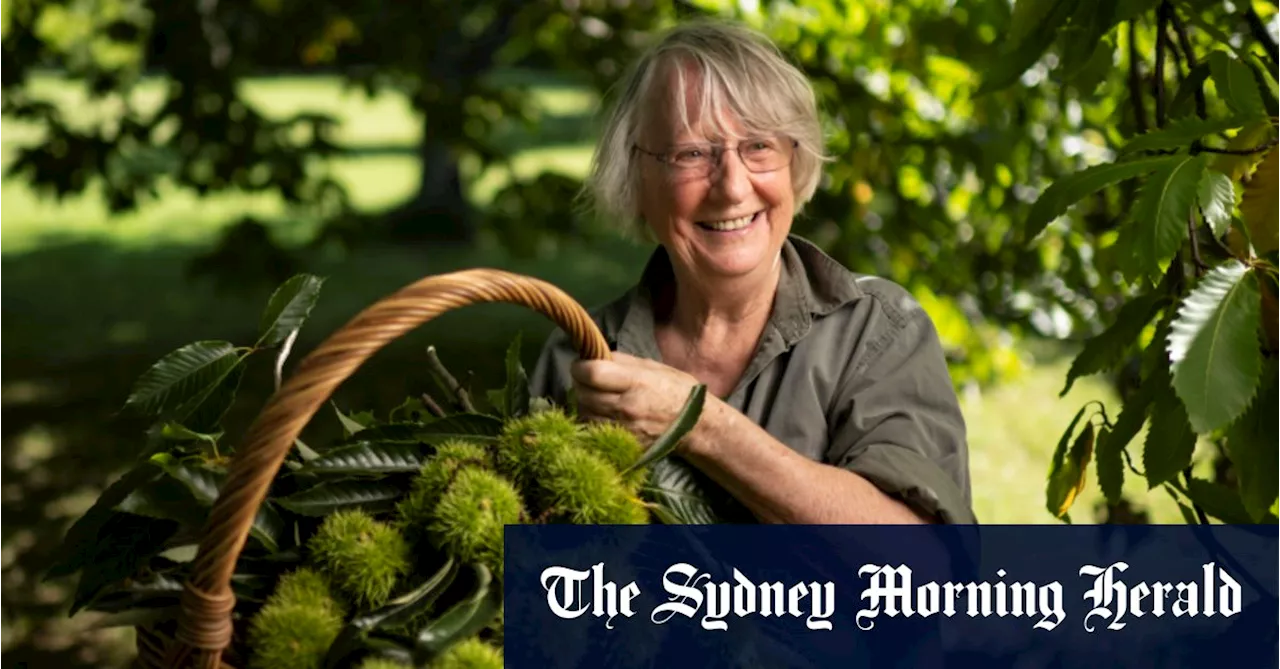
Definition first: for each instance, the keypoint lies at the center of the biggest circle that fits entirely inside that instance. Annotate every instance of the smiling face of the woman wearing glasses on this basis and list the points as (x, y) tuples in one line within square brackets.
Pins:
[(725, 226)]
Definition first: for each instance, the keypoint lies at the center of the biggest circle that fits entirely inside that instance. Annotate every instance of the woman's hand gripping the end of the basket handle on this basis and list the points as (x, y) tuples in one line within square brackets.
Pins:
[(641, 395)]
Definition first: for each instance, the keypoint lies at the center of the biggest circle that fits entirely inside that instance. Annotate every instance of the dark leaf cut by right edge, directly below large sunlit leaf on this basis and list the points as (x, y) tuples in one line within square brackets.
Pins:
[(1254, 446)]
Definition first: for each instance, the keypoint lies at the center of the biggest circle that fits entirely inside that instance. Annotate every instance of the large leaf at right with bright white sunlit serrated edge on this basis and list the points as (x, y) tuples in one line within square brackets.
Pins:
[(1214, 347)]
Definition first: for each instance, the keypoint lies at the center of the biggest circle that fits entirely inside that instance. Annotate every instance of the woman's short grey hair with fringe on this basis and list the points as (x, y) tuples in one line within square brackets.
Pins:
[(734, 68)]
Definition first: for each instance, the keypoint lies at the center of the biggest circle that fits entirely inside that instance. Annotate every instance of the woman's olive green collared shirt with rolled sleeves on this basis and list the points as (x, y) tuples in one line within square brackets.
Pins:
[(849, 372)]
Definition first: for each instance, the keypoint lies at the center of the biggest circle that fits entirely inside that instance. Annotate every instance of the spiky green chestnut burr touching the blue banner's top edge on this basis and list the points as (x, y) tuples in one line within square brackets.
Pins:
[(584, 489)]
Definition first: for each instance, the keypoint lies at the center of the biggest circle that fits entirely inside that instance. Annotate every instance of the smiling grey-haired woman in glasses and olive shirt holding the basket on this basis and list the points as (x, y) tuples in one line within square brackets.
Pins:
[(829, 397)]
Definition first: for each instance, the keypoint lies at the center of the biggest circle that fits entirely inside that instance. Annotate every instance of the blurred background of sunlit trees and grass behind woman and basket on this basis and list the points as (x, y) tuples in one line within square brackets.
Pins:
[(166, 164)]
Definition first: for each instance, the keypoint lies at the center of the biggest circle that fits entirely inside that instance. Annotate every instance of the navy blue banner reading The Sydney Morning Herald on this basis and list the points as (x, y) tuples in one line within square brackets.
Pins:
[(853, 597)]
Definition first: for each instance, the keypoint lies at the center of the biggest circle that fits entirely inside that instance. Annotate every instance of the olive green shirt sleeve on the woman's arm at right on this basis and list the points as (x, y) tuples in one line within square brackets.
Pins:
[(898, 420)]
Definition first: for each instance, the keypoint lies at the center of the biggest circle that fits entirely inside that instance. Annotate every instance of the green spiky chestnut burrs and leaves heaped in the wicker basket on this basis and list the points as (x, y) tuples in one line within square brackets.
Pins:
[(385, 546)]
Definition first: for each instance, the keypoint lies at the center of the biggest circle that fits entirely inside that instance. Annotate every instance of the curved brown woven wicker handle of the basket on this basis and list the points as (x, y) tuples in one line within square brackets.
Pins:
[(205, 622)]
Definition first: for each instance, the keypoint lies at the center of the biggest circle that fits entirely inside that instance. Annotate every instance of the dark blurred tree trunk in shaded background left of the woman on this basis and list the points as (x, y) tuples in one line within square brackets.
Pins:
[(440, 212)]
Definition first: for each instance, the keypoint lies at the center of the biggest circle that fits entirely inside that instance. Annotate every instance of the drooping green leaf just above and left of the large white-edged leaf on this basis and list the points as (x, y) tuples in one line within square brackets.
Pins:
[(1160, 216)]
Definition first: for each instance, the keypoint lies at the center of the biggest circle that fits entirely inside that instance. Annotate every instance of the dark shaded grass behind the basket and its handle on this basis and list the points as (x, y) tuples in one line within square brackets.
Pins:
[(89, 319)]
